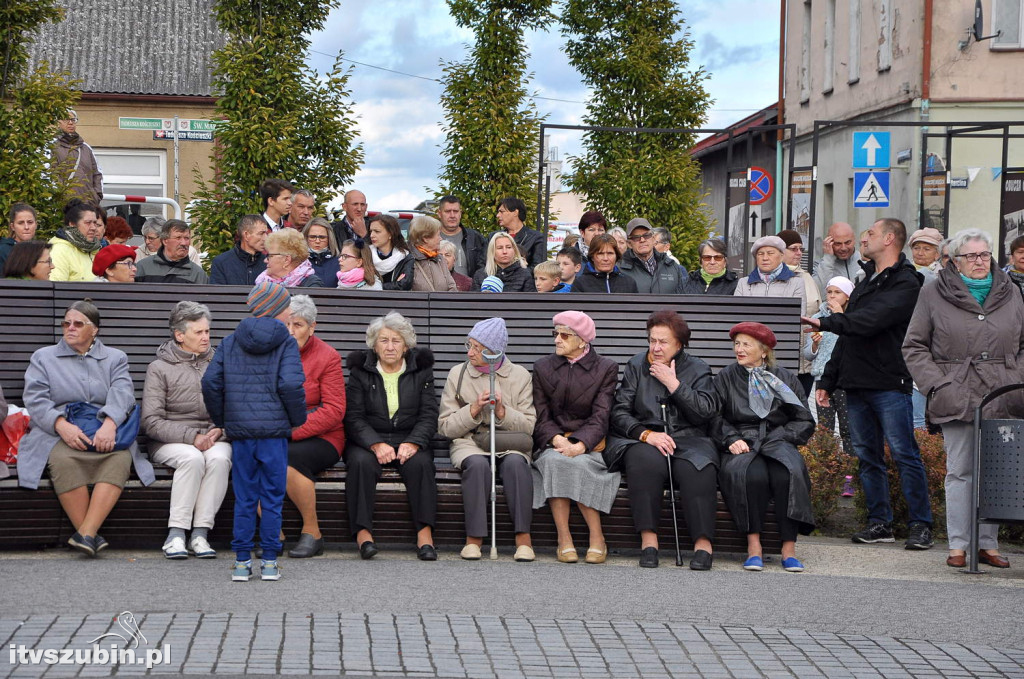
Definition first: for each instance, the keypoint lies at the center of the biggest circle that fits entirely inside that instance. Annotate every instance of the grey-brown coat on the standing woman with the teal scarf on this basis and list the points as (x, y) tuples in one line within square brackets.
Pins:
[(959, 351)]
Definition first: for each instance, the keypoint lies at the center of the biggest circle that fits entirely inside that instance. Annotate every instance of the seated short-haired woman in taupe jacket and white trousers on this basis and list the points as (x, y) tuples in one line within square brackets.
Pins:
[(182, 434)]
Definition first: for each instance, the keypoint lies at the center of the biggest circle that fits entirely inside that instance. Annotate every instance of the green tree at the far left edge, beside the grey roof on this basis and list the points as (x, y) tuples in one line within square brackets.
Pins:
[(31, 103)]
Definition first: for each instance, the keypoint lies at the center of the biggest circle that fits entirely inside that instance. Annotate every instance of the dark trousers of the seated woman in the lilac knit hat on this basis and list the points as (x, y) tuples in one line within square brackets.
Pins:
[(517, 478)]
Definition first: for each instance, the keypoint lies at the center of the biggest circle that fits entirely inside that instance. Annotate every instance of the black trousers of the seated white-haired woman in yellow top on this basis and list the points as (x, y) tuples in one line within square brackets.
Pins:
[(361, 487)]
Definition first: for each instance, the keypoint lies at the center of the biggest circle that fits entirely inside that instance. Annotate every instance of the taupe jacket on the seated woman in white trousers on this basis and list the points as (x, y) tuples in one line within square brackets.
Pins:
[(174, 411)]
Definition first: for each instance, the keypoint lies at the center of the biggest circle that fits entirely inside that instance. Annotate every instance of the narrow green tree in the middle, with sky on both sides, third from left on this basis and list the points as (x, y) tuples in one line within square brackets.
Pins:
[(491, 128)]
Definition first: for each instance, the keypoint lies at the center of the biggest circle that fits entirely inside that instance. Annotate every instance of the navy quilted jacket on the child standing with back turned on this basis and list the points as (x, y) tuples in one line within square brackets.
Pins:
[(254, 386)]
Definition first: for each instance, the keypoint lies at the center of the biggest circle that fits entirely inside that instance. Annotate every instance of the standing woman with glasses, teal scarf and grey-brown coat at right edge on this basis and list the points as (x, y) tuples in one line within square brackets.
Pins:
[(966, 341)]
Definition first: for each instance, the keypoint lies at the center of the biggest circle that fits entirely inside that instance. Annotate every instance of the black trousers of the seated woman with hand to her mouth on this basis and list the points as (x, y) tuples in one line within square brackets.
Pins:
[(648, 475)]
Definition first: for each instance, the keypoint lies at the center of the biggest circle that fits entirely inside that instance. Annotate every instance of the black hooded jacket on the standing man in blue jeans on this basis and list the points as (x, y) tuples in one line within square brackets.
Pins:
[(869, 354)]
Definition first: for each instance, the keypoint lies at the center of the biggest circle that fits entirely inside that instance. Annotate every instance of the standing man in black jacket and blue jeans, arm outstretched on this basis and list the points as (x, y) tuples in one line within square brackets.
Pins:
[(868, 363)]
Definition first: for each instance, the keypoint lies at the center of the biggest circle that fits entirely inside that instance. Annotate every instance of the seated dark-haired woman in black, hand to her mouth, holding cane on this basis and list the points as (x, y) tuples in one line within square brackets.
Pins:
[(662, 408)]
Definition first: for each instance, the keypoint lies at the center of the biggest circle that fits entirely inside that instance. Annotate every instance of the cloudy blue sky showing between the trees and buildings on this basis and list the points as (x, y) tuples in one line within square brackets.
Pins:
[(401, 121)]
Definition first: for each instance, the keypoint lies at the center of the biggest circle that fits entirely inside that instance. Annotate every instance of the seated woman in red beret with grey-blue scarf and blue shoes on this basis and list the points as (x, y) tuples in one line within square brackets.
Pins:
[(763, 418)]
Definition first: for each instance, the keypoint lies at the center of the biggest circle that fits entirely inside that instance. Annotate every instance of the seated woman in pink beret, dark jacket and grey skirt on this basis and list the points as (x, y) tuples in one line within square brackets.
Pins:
[(573, 394)]
